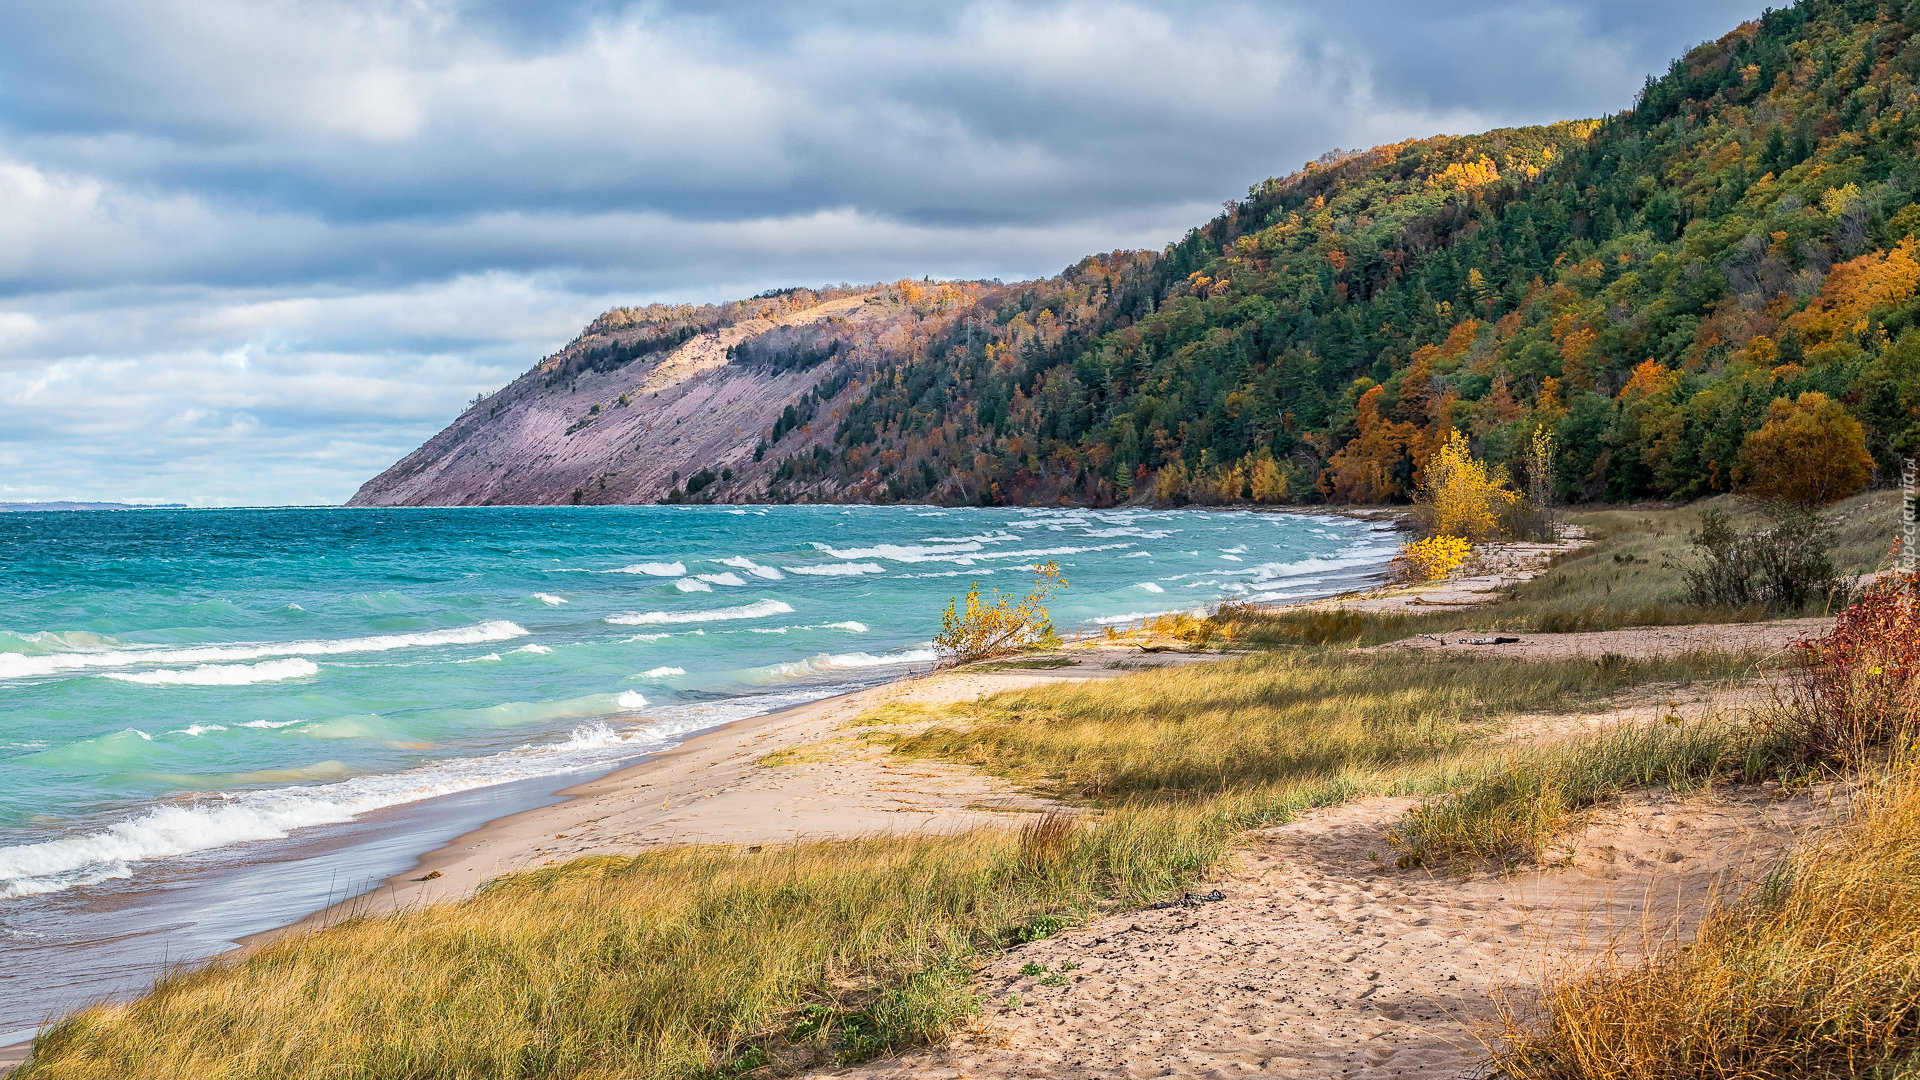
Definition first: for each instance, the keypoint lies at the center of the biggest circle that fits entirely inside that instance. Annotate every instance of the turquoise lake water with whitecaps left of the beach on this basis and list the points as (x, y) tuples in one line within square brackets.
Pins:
[(187, 683)]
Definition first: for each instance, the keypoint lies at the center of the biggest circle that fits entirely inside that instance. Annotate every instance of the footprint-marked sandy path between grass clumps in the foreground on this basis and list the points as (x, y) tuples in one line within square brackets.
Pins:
[(1328, 962)]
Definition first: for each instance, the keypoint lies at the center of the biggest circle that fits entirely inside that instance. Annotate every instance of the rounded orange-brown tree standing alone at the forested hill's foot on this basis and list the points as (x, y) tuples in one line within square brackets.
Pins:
[(1810, 453)]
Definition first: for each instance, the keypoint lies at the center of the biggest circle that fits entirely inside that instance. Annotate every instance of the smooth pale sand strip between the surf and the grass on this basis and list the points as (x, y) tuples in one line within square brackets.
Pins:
[(717, 789)]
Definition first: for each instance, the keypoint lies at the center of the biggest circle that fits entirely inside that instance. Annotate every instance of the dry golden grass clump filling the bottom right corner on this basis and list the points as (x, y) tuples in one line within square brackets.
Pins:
[(1817, 975)]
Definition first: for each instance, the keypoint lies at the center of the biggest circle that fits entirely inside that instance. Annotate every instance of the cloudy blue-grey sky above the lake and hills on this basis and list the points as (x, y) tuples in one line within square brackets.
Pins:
[(252, 253)]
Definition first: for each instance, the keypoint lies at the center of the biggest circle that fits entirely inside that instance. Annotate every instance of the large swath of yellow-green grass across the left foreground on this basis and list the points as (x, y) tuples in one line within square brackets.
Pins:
[(690, 962)]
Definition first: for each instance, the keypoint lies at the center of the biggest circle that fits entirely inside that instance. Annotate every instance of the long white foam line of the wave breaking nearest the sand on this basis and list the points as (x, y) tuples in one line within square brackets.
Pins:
[(53, 866)]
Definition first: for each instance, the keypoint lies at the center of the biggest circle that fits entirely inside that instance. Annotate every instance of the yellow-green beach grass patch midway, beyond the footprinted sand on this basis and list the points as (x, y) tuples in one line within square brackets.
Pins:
[(1282, 720)]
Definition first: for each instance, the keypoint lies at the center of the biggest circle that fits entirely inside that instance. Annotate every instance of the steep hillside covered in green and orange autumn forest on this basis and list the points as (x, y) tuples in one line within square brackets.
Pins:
[(1644, 285)]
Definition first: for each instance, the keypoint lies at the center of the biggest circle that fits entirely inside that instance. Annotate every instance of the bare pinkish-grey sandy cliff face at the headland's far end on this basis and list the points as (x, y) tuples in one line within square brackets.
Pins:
[(648, 401)]
